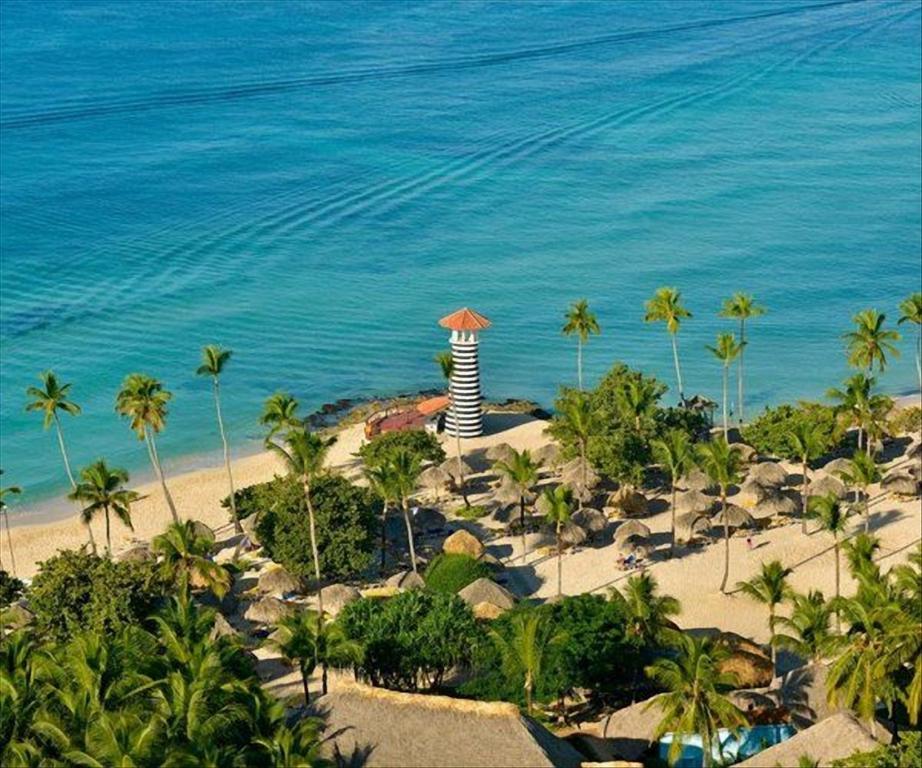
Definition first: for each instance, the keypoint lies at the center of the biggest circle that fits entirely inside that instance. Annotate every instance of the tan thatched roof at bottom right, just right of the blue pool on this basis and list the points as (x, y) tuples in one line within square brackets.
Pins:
[(834, 738)]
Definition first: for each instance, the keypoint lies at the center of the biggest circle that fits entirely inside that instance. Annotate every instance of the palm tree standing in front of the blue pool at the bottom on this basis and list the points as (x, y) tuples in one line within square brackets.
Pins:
[(696, 700)]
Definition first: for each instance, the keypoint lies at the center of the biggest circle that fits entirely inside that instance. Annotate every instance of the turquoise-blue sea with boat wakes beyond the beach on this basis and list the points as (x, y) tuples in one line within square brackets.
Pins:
[(315, 184)]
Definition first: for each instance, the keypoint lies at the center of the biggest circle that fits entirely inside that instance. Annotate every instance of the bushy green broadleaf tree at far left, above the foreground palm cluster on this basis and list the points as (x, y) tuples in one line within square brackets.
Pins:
[(75, 591)]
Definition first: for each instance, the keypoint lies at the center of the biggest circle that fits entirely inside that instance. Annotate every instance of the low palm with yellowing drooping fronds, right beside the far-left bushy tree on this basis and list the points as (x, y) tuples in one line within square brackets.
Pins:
[(186, 559)]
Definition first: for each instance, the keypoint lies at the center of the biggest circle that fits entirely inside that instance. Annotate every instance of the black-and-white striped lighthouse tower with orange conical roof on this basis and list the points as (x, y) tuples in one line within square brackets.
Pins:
[(465, 417)]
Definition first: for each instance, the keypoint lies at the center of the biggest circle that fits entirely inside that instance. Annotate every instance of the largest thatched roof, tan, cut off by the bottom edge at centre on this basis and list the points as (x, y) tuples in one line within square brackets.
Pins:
[(375, 727)]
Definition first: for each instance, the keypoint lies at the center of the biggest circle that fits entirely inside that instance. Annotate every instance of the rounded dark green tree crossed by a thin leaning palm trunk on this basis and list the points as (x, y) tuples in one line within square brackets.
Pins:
[(346, 522)]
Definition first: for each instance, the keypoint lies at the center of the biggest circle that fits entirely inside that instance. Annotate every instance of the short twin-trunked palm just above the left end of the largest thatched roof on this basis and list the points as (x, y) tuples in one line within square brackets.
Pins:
[(304, 639)]
